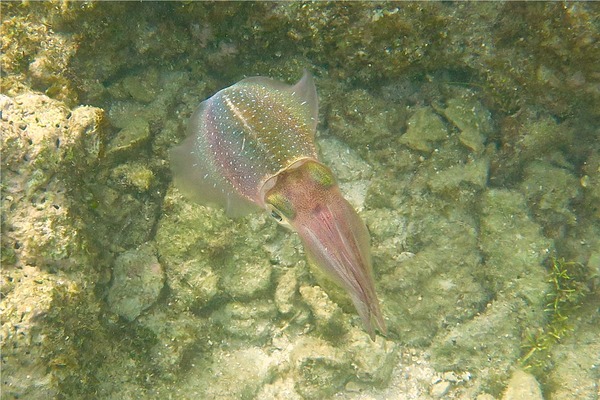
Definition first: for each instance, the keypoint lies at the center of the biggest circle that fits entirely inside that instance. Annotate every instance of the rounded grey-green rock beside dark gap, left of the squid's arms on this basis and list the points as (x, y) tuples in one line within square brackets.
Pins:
[(138, 279)]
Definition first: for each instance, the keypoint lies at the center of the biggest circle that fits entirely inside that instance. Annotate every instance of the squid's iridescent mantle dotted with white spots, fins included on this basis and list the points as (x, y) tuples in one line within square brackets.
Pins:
[(247, 133)]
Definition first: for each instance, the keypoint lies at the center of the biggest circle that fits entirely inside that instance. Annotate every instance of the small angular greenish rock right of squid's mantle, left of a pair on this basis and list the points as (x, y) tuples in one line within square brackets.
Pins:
[(425, 128)]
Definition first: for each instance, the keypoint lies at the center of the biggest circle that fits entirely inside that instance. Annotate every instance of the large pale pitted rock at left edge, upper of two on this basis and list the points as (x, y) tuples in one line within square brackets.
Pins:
[(41, 143)]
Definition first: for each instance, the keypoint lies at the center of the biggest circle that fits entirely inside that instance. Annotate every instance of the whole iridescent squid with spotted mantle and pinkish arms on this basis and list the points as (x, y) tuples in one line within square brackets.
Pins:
[(251, 146)]
